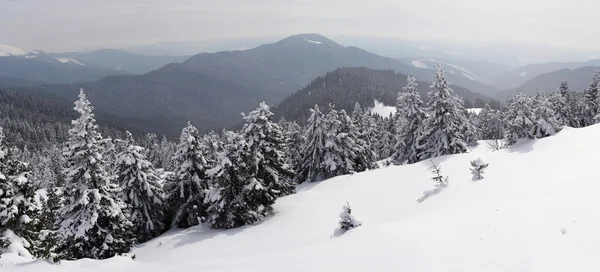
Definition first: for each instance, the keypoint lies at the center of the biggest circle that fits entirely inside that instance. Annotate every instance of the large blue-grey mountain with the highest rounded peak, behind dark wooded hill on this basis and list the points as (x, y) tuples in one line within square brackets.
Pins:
[(212, 89)]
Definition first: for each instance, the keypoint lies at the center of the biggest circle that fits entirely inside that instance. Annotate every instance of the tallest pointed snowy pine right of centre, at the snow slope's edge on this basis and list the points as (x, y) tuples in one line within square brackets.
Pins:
[(442, 131)]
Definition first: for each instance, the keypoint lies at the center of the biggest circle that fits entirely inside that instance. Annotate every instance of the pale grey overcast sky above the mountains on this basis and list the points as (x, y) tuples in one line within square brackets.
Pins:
[(62, 25)]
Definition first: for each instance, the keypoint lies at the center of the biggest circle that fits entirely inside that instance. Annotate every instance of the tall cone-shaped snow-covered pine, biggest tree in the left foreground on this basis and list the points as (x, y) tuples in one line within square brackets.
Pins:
[(92, 222)]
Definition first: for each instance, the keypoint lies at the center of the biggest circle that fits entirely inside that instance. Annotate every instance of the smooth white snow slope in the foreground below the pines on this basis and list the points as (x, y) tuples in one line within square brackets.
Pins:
[(515, 219)]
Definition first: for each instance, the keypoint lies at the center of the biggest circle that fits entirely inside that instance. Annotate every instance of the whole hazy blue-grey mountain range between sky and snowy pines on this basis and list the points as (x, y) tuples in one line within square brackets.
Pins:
[(161, 93)]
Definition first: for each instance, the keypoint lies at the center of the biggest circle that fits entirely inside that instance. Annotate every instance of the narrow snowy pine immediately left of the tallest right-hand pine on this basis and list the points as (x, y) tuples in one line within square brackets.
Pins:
[(410, 117)]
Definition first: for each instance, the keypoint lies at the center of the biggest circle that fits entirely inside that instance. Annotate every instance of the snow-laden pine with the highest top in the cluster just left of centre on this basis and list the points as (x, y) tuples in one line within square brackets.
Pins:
[(267, 145)]
